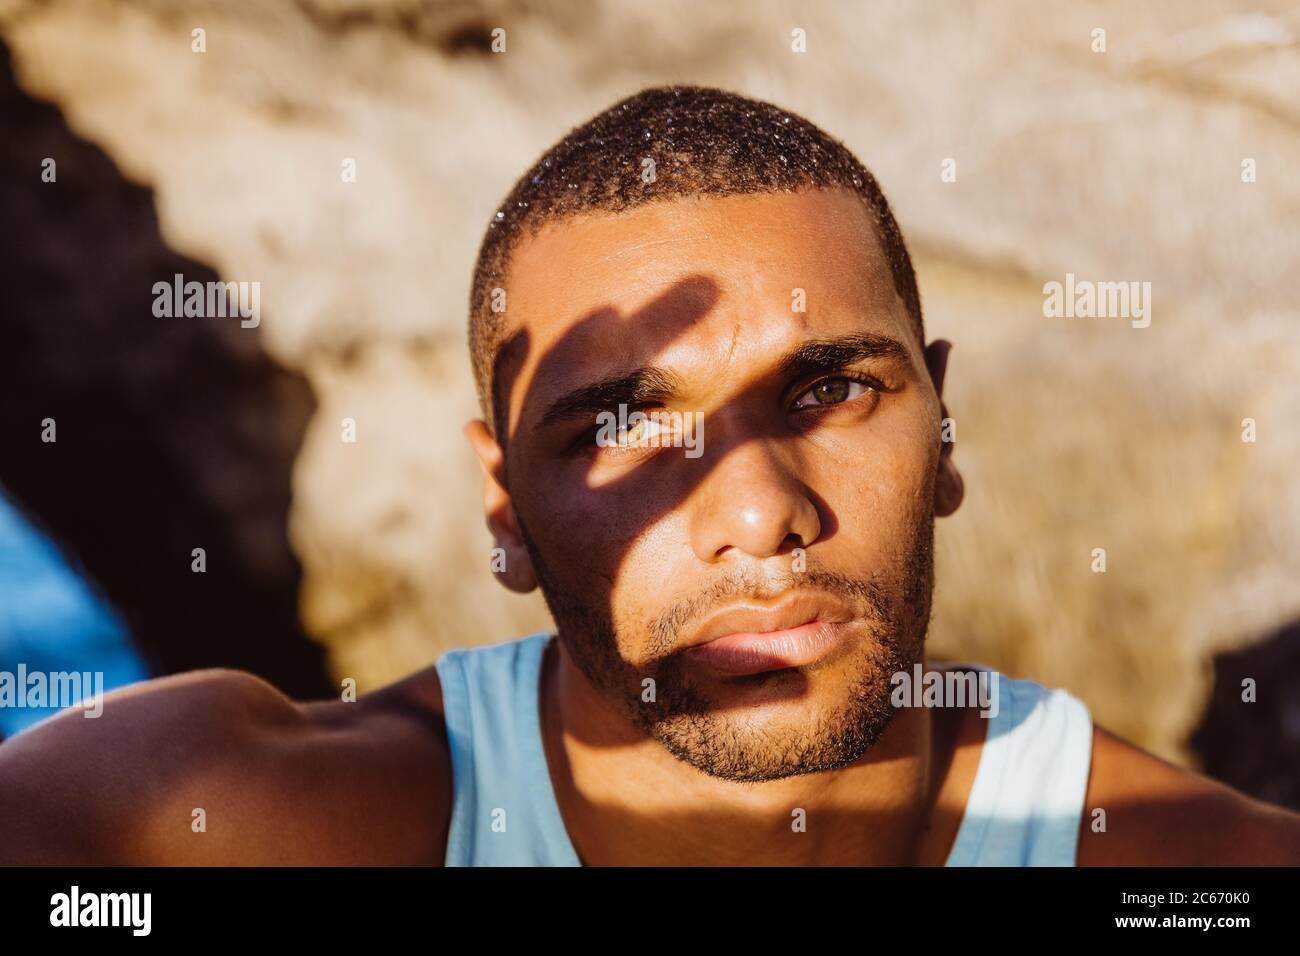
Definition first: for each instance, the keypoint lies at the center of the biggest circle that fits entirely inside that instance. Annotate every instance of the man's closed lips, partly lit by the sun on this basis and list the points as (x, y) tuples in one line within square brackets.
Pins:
[(756, 639)]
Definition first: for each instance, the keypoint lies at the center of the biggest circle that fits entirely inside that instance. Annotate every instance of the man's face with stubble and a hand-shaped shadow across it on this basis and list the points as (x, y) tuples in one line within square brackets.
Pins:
[(805, 508)]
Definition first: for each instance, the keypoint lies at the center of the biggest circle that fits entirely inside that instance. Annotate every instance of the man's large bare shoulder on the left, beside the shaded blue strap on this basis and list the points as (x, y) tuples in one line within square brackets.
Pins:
[(219, 768)]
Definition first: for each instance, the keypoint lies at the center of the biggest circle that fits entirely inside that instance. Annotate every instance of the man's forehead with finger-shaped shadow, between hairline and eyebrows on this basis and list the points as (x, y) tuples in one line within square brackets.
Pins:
[(701, 285)]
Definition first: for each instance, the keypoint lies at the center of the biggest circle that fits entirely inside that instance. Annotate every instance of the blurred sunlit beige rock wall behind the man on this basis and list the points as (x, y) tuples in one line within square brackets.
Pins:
[(1073, 435)]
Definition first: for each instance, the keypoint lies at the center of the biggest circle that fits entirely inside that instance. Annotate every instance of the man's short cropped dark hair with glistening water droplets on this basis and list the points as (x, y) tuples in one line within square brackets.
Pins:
[(704, 142)]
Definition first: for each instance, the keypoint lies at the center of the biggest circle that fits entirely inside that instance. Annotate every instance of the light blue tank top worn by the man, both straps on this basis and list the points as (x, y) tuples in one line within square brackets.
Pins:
[(1025, 807)]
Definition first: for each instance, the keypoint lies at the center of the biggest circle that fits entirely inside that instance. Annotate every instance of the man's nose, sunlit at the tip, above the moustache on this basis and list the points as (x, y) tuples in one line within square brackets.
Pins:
[(753, 501)]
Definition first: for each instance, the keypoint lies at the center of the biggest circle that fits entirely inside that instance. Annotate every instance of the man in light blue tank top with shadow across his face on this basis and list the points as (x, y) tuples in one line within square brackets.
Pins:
[(713, 436)]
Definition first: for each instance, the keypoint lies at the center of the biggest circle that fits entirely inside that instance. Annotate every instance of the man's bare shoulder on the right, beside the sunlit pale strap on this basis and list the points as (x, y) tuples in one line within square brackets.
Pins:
[(1159, 815)]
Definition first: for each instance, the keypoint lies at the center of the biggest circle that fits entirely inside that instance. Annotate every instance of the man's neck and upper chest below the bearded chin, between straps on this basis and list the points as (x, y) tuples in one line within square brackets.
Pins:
[(627, 801)]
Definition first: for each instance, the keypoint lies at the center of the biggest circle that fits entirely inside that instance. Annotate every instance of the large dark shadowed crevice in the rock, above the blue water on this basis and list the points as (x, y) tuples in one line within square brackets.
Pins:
[(172, 434)]
